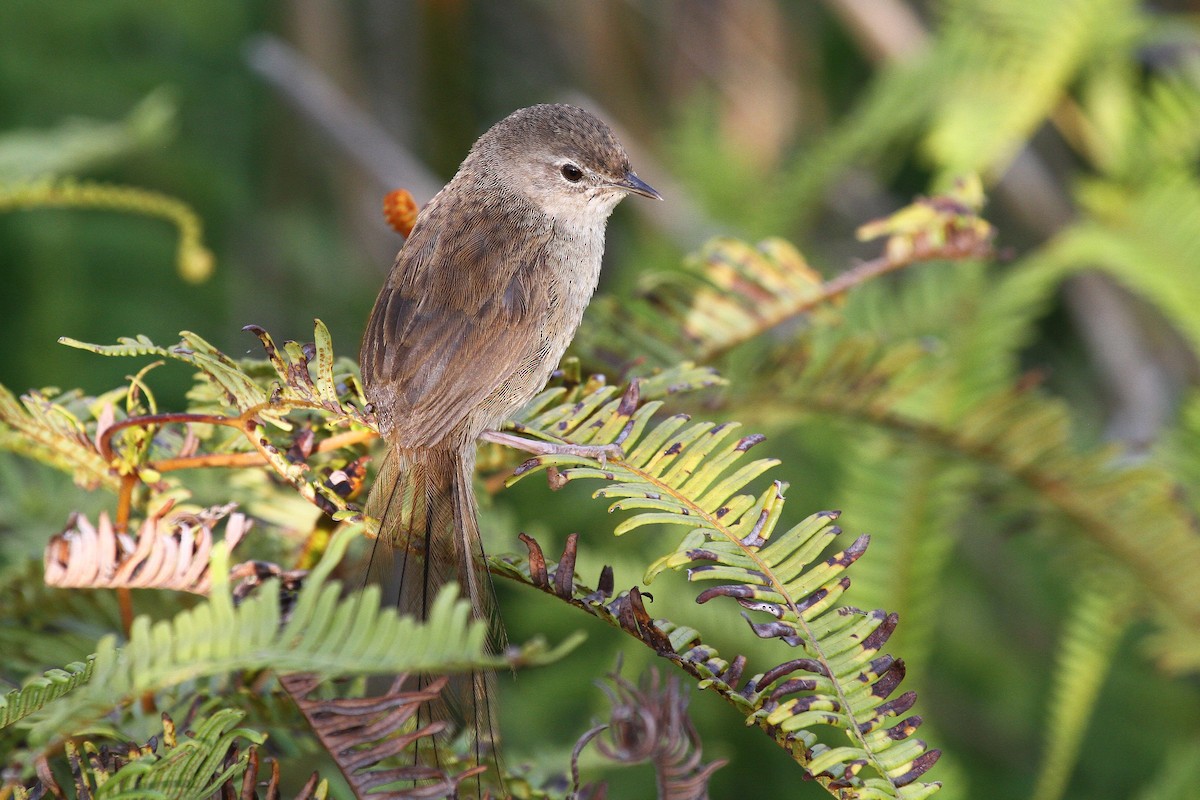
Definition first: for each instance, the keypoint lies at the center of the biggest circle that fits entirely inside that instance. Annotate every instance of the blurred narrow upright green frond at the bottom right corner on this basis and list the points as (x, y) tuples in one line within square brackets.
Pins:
[(1099, 619)]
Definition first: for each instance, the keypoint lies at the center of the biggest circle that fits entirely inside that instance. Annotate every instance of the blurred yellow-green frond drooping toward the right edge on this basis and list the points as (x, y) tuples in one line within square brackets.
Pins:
[(1027, 437)]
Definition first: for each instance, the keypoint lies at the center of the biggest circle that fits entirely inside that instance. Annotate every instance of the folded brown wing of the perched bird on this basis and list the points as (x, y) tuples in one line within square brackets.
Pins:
[(461, 314)]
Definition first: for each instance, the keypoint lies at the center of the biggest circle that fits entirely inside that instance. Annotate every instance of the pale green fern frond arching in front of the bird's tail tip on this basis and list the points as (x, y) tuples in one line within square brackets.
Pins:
[(325, 634)]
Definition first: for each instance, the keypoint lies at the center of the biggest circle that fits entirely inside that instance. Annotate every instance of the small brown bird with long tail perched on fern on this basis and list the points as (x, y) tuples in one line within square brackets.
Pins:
[(481, 305)]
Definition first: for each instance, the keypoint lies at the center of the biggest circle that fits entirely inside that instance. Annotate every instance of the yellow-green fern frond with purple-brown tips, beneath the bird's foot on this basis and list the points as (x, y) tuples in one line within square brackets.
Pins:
[(695, 476)]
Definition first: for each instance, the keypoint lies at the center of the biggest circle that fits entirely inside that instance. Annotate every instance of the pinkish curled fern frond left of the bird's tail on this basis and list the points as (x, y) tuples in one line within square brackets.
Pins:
[(170, 552)]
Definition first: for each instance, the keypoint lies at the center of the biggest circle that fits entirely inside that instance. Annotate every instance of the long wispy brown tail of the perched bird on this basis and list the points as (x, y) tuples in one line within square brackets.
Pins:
[(429, 536)]
